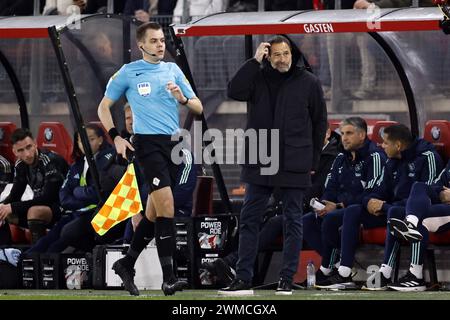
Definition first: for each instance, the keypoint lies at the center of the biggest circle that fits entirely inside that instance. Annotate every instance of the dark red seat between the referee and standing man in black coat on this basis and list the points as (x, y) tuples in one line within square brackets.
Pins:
[(203, 196)]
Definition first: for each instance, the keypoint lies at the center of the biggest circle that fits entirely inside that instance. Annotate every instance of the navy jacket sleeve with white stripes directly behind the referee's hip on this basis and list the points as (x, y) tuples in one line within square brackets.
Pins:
[(185, 185)]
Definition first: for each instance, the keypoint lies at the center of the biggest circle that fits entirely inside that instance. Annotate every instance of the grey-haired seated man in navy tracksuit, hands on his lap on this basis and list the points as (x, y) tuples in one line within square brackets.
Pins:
[(353, 174)]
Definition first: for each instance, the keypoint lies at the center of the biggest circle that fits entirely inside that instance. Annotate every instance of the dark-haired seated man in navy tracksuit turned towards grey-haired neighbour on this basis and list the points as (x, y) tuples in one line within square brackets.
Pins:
[(410, 160)]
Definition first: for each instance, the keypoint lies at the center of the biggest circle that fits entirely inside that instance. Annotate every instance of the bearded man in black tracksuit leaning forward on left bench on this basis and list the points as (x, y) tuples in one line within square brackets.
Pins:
[(44, 172)]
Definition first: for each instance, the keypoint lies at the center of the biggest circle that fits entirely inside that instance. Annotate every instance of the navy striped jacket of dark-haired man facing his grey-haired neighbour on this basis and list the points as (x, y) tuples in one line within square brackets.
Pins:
[(420, 162)]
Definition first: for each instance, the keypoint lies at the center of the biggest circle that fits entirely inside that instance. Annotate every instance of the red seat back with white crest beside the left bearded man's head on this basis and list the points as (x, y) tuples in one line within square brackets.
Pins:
[(53, 136)]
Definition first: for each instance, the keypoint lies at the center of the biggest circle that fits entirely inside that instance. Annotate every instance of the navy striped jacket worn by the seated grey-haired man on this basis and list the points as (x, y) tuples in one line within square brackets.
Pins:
[(348, 181)]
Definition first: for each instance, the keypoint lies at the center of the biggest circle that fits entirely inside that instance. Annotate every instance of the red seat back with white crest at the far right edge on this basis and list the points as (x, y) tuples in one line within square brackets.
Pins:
[(438, 133)]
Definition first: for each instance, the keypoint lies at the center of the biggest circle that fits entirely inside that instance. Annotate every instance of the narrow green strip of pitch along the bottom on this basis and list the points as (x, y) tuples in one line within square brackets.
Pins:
[(212, 295)]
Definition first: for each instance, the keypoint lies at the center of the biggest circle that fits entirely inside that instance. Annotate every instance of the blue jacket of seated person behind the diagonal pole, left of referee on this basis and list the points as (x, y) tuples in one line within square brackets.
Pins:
[(74, 197)]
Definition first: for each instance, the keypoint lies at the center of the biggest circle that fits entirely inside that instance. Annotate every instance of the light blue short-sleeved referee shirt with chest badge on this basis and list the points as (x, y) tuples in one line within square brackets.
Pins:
[(155, 110)]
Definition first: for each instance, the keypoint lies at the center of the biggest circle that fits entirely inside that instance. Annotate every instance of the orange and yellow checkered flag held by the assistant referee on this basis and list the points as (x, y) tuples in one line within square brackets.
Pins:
[(124, 202)]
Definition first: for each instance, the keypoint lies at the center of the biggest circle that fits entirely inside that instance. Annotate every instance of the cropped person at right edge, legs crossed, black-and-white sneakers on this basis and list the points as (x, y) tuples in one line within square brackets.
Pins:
[(427, 210)]
